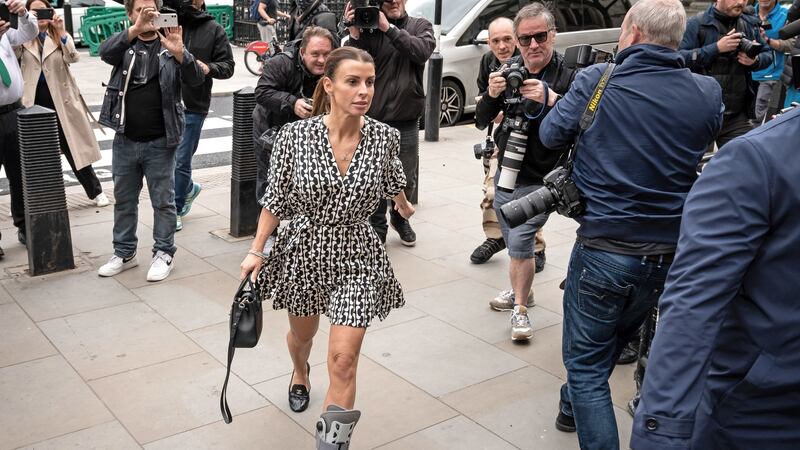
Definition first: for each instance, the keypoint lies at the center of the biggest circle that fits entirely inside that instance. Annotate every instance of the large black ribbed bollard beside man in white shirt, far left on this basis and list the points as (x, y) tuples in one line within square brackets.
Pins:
[(46, 218)]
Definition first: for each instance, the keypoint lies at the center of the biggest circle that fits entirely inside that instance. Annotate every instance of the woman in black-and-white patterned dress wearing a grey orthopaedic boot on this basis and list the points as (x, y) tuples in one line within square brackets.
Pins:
[(326, 175)]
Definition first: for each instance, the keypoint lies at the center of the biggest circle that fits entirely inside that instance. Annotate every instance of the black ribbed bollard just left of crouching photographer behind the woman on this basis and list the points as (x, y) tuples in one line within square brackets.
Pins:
[(244, 211)]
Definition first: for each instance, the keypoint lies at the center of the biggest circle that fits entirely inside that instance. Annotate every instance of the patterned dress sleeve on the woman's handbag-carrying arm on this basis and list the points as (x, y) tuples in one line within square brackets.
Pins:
[(280, 180)]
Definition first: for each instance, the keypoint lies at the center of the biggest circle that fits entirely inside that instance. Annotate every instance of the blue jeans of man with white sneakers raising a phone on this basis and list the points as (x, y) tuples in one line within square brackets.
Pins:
[(155, 161)]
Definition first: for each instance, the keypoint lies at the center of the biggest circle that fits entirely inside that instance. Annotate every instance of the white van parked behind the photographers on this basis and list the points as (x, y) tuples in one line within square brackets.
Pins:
[(594, 22)]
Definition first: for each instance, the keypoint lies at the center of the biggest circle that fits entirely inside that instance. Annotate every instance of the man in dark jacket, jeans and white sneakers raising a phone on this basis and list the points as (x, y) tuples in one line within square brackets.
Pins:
[(143, 106)]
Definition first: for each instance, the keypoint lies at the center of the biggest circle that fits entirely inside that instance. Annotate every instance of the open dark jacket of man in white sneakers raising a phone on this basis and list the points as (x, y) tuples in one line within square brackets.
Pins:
[(117, 51)]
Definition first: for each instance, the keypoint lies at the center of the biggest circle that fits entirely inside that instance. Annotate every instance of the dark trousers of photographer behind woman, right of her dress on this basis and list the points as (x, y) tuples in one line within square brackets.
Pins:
[(409, 157)]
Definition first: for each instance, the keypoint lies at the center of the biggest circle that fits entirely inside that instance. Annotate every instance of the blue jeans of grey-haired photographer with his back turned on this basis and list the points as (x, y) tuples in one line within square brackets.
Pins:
[(606, 298)]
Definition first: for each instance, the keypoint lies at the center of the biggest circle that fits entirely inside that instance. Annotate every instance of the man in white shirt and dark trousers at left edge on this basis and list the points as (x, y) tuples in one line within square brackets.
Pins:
[(10, 94)]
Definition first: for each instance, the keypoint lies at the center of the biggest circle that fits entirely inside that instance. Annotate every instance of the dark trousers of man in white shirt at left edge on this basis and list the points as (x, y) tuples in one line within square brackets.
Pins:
[(9, 159)]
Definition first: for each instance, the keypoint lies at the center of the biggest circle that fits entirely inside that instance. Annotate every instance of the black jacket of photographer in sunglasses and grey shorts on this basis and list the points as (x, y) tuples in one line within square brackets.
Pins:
[(538, 160)]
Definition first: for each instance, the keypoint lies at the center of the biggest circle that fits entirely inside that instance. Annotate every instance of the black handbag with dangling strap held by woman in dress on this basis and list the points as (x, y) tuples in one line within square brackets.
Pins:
[(246, 323)]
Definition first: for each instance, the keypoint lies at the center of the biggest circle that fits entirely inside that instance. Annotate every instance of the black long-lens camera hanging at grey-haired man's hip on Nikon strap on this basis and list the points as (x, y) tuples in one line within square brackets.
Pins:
[(558, 193)]
